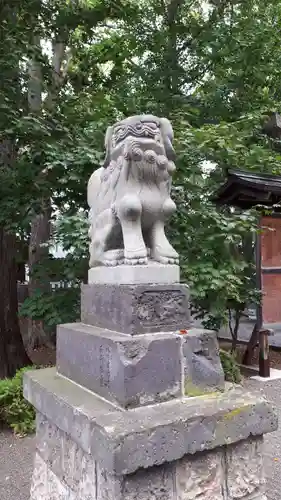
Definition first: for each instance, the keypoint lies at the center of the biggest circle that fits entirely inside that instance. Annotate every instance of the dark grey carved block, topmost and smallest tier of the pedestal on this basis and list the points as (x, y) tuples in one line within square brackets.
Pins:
[(136, 309)]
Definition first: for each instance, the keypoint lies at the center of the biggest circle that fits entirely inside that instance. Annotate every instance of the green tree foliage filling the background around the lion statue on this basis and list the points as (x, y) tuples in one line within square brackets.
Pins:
[(213, 69)]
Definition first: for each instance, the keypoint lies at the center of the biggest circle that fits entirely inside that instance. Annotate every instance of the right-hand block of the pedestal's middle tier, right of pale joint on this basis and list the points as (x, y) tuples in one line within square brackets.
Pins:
[(202, 366)]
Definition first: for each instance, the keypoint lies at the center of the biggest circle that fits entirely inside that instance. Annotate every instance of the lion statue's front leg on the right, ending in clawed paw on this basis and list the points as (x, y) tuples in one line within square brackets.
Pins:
[(161, 249)]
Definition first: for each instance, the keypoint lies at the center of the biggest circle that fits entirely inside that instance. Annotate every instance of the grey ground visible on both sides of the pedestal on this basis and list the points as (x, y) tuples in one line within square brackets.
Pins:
[(16, 454)]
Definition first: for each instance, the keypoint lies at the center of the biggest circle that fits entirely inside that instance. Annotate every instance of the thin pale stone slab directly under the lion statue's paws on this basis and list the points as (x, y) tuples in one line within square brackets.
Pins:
[(153, 272)]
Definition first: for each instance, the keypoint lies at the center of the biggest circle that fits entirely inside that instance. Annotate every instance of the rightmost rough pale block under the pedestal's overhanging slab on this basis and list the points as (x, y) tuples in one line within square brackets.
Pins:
[(244, 470)]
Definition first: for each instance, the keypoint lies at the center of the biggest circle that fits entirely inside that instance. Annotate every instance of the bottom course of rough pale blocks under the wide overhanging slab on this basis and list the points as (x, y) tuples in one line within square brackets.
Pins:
[(232, 472)]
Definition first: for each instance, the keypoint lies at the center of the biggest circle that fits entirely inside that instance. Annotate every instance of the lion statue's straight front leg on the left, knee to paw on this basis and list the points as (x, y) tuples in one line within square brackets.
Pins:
[(129, 210)]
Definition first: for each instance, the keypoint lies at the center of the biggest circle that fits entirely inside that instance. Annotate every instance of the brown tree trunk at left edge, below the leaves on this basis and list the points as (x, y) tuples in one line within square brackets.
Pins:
[(12, 352)]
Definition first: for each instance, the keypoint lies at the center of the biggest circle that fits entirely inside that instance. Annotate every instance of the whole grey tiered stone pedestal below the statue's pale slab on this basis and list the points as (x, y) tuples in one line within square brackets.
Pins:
[(136, 409)]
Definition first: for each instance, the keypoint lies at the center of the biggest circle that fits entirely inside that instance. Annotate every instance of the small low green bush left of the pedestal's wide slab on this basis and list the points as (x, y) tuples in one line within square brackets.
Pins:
[(15, 411)]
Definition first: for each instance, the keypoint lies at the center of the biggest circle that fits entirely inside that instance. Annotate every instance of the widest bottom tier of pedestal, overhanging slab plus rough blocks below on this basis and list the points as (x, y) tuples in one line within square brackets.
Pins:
[(187, 449)]
